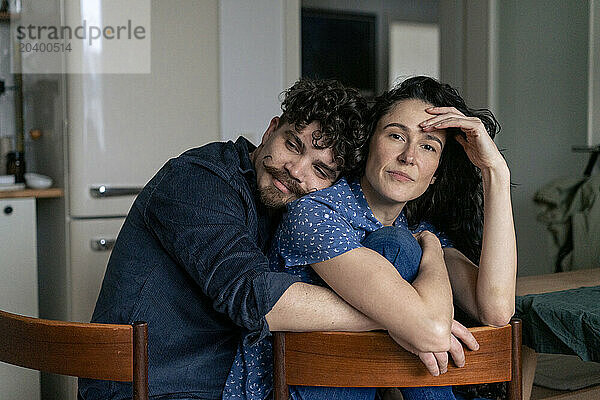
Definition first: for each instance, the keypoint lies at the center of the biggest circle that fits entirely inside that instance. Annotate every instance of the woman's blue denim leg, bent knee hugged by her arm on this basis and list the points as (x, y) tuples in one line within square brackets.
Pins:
[(400, 248)]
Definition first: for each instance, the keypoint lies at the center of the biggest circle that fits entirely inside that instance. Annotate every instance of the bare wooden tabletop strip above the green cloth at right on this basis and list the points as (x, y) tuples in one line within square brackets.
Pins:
[(558, 281)]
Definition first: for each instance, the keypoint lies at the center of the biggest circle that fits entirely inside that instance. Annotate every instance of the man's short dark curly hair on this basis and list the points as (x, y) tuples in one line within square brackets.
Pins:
[(339, 110)]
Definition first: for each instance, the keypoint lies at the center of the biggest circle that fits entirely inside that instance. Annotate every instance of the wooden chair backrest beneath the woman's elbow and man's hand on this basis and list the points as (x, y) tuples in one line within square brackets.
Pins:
[(373, 359)]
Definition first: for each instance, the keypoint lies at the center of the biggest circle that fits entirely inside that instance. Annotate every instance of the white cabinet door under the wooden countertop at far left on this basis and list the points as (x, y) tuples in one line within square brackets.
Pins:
[(18, 286)]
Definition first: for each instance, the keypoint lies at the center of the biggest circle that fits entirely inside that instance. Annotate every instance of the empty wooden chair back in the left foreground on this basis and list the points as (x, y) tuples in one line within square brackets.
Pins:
[(97, 351)]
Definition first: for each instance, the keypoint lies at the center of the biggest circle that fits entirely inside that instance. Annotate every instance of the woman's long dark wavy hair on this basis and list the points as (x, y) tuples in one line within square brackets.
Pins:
[(454, 203)]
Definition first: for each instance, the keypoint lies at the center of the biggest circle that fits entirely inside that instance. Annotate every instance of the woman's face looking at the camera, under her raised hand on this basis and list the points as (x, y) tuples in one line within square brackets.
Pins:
[(402, 157)]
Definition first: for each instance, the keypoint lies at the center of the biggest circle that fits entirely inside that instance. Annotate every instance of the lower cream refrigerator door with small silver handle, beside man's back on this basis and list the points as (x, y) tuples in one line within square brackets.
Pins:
[(90, 249)]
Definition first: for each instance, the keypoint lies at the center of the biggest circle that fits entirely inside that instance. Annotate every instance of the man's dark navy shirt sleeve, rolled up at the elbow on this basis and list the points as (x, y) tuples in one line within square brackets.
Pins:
[(200, 219)]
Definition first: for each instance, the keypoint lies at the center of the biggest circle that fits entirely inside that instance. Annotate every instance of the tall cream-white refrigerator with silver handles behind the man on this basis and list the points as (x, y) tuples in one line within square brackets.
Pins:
[(119, 130)]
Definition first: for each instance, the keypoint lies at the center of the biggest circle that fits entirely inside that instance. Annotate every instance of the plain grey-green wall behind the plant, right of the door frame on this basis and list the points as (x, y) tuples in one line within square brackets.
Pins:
[(542, 107)]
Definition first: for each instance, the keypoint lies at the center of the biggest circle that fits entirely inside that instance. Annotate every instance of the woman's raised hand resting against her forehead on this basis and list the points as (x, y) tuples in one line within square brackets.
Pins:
[(478, 144)]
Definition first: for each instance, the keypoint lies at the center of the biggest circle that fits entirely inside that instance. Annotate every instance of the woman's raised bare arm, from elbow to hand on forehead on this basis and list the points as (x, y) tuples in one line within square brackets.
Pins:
[(489, 292)]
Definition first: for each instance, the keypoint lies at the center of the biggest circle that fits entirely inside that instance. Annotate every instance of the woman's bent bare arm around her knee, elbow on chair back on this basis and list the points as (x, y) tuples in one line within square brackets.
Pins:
[(420, 314)]
